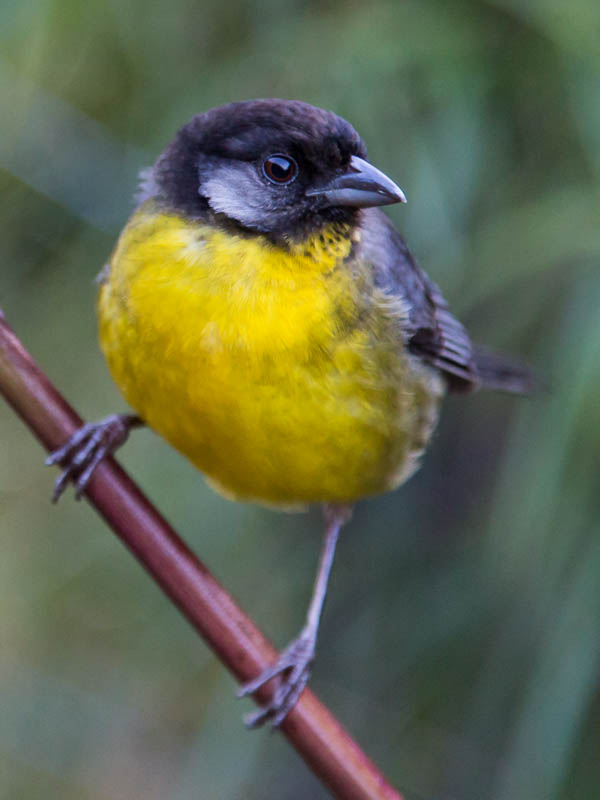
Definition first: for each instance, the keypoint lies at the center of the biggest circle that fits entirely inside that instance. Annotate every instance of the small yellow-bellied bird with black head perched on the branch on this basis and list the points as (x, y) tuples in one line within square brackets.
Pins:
[(261, 313)]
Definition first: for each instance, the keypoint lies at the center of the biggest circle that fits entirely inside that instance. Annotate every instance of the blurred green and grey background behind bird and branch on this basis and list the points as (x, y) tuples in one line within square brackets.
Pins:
[(461, 639)]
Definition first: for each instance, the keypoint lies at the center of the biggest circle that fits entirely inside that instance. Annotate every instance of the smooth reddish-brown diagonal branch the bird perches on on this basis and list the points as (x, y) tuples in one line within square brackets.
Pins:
[(326, 747)]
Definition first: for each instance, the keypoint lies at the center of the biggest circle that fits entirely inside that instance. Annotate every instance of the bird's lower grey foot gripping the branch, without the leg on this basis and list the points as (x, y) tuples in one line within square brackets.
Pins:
[(293, 667)]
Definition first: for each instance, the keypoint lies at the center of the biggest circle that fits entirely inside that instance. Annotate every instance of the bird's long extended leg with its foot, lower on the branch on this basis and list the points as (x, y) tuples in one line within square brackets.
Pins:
[(293, 665)]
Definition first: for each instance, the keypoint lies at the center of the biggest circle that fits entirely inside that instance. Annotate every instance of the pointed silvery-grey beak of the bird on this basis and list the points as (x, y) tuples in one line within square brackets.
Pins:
[(361, 186)]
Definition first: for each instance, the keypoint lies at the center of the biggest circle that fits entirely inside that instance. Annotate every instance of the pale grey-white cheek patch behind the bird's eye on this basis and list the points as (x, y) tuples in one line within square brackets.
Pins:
[(238, 193)]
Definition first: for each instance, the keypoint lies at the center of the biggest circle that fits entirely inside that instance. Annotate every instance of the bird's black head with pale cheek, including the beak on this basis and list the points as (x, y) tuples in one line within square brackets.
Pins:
[(281, 167)]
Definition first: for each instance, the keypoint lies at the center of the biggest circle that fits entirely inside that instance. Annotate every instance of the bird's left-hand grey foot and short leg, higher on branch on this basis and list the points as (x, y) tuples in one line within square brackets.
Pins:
[(87, 447)]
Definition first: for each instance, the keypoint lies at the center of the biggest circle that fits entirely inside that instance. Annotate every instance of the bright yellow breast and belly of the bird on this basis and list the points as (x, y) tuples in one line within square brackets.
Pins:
[(279, 374)]
